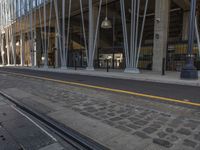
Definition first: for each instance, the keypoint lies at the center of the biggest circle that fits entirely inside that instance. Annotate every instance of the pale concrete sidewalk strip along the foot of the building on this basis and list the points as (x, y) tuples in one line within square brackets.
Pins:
[(169, 78)]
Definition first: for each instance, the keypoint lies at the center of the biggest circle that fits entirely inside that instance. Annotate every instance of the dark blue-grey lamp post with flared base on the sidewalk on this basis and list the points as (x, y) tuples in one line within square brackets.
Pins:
[(189, 71)]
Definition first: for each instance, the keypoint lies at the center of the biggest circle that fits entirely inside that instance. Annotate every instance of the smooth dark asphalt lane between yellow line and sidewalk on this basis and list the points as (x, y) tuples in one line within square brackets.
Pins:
[(180, 92)]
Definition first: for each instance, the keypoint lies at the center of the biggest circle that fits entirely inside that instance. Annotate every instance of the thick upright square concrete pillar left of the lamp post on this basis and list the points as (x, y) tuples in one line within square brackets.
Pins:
[(161, 27)]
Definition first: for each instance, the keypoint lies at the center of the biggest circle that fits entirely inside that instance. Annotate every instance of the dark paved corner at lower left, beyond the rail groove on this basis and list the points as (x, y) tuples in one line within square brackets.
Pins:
[(18, 132)]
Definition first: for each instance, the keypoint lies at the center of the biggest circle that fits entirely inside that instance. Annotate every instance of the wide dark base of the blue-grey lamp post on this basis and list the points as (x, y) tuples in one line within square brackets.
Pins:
[(189, 72)]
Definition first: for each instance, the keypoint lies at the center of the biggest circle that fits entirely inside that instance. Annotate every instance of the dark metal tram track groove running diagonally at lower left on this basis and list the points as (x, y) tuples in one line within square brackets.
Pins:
[(72, 137)]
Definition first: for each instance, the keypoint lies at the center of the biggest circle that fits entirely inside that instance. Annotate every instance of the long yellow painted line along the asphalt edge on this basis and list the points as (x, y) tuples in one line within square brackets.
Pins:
[(108, 89)]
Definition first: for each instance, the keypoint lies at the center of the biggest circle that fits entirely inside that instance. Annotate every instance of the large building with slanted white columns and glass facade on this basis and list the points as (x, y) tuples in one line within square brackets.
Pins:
[(124, 34)]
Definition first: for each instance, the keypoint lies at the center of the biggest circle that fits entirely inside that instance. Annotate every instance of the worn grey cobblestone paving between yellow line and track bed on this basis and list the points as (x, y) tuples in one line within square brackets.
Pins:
[(169, 126)]
